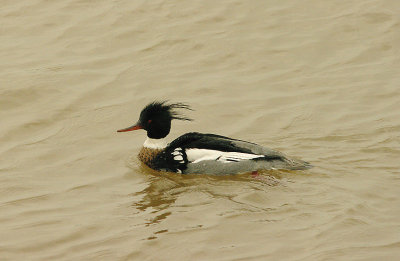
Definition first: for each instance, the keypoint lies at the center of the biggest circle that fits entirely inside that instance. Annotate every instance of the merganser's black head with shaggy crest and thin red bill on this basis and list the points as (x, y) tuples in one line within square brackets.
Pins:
[(156, 118)]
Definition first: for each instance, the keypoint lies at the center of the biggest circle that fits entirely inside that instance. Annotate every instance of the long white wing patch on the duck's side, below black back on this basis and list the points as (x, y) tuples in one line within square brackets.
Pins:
[(197, 155)]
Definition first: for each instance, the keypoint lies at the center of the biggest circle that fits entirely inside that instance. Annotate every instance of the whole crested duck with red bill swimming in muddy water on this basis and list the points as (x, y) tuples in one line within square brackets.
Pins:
[(198, 153)]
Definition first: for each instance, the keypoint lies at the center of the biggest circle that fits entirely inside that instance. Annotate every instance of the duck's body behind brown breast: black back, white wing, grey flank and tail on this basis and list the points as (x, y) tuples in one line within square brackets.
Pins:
[(209, 153)]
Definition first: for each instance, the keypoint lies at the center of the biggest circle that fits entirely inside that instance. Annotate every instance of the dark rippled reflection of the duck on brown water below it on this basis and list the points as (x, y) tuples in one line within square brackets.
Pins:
[(163, 189)]
